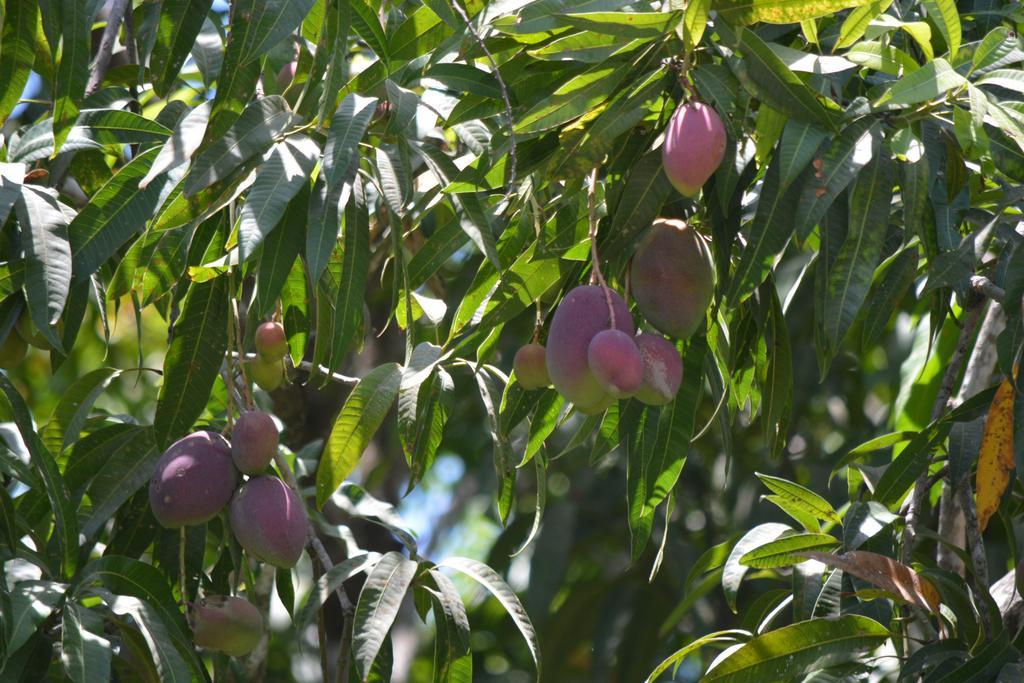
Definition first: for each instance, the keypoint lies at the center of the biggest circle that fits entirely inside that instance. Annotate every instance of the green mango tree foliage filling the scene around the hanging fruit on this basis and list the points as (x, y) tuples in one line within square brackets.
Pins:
[(402, 205)]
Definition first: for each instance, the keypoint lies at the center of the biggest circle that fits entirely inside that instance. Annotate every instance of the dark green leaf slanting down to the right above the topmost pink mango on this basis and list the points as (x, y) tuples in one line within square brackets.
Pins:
[(767, 77)]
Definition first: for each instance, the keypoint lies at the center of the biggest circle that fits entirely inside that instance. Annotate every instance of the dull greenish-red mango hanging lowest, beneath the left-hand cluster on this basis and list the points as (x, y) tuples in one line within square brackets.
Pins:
[(227, 624)]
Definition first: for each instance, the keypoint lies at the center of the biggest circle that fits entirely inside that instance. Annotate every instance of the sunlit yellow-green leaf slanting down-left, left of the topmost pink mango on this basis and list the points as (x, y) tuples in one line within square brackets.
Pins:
[(579, 96)]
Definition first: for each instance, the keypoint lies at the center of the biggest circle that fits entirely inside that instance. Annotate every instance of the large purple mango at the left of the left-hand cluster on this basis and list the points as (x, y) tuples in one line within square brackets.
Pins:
[(194, 481)]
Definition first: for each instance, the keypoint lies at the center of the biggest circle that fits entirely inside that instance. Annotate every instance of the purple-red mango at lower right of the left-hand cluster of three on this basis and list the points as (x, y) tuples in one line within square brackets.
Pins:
[(270, 522)]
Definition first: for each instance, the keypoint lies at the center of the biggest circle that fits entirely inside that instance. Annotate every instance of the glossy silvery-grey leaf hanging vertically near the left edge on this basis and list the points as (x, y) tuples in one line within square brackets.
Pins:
[(44, 221)]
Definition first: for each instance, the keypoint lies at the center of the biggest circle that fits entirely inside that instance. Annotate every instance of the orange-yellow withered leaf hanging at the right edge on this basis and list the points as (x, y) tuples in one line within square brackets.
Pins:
[(996, 460)]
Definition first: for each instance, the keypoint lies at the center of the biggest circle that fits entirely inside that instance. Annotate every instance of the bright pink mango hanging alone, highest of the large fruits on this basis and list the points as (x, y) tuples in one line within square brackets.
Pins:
[(695, 145)]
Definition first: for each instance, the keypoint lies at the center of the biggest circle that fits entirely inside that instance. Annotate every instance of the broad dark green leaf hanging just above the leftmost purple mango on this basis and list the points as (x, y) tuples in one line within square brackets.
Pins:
[(193, 361)]
